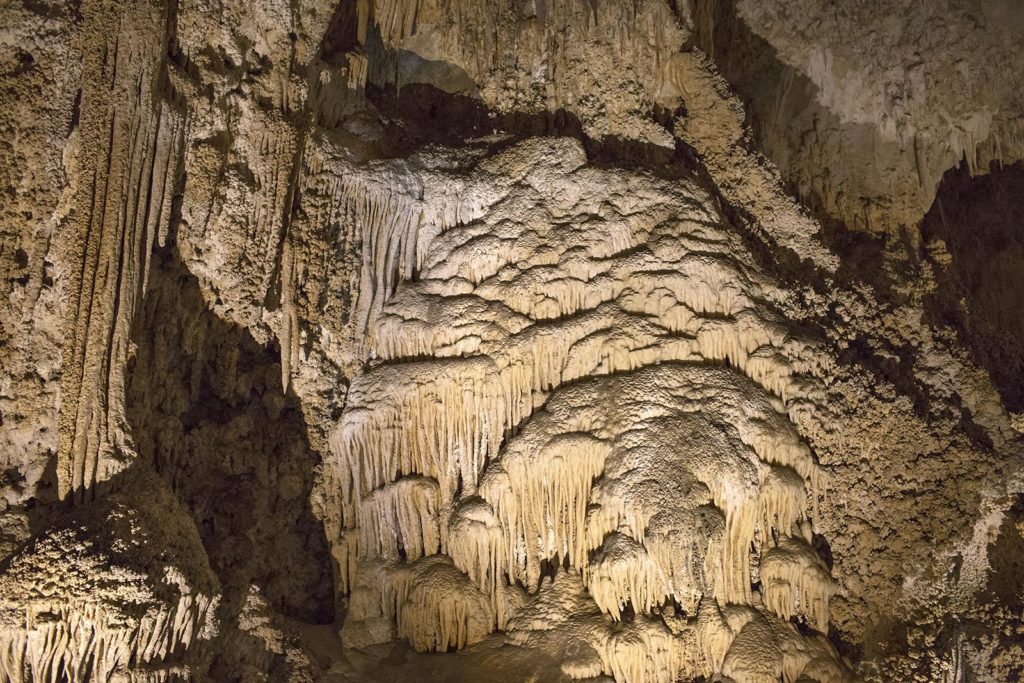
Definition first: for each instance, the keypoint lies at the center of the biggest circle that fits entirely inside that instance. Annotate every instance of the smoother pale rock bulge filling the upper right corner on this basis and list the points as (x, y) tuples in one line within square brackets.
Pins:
[(864, 112)]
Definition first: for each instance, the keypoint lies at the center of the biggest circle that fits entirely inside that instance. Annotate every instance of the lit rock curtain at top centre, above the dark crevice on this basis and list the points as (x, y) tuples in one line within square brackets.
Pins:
[(534, 57)]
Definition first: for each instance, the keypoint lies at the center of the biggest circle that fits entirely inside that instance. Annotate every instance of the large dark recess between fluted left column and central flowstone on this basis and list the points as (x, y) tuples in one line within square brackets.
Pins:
[(208, 413)]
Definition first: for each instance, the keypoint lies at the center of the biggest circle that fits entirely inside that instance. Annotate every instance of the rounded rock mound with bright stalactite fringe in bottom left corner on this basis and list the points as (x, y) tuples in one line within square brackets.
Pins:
[(120, 588)]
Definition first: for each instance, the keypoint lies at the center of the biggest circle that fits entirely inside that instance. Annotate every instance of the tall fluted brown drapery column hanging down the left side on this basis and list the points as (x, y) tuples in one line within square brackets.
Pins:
[(132, 140)]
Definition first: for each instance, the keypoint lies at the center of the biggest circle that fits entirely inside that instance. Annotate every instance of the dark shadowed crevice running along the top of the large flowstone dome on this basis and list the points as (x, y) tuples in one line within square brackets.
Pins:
[(402, 87)]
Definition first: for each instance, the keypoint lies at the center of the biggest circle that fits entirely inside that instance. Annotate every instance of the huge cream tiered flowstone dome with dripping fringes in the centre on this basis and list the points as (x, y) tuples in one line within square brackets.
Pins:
[(616, 404)]
